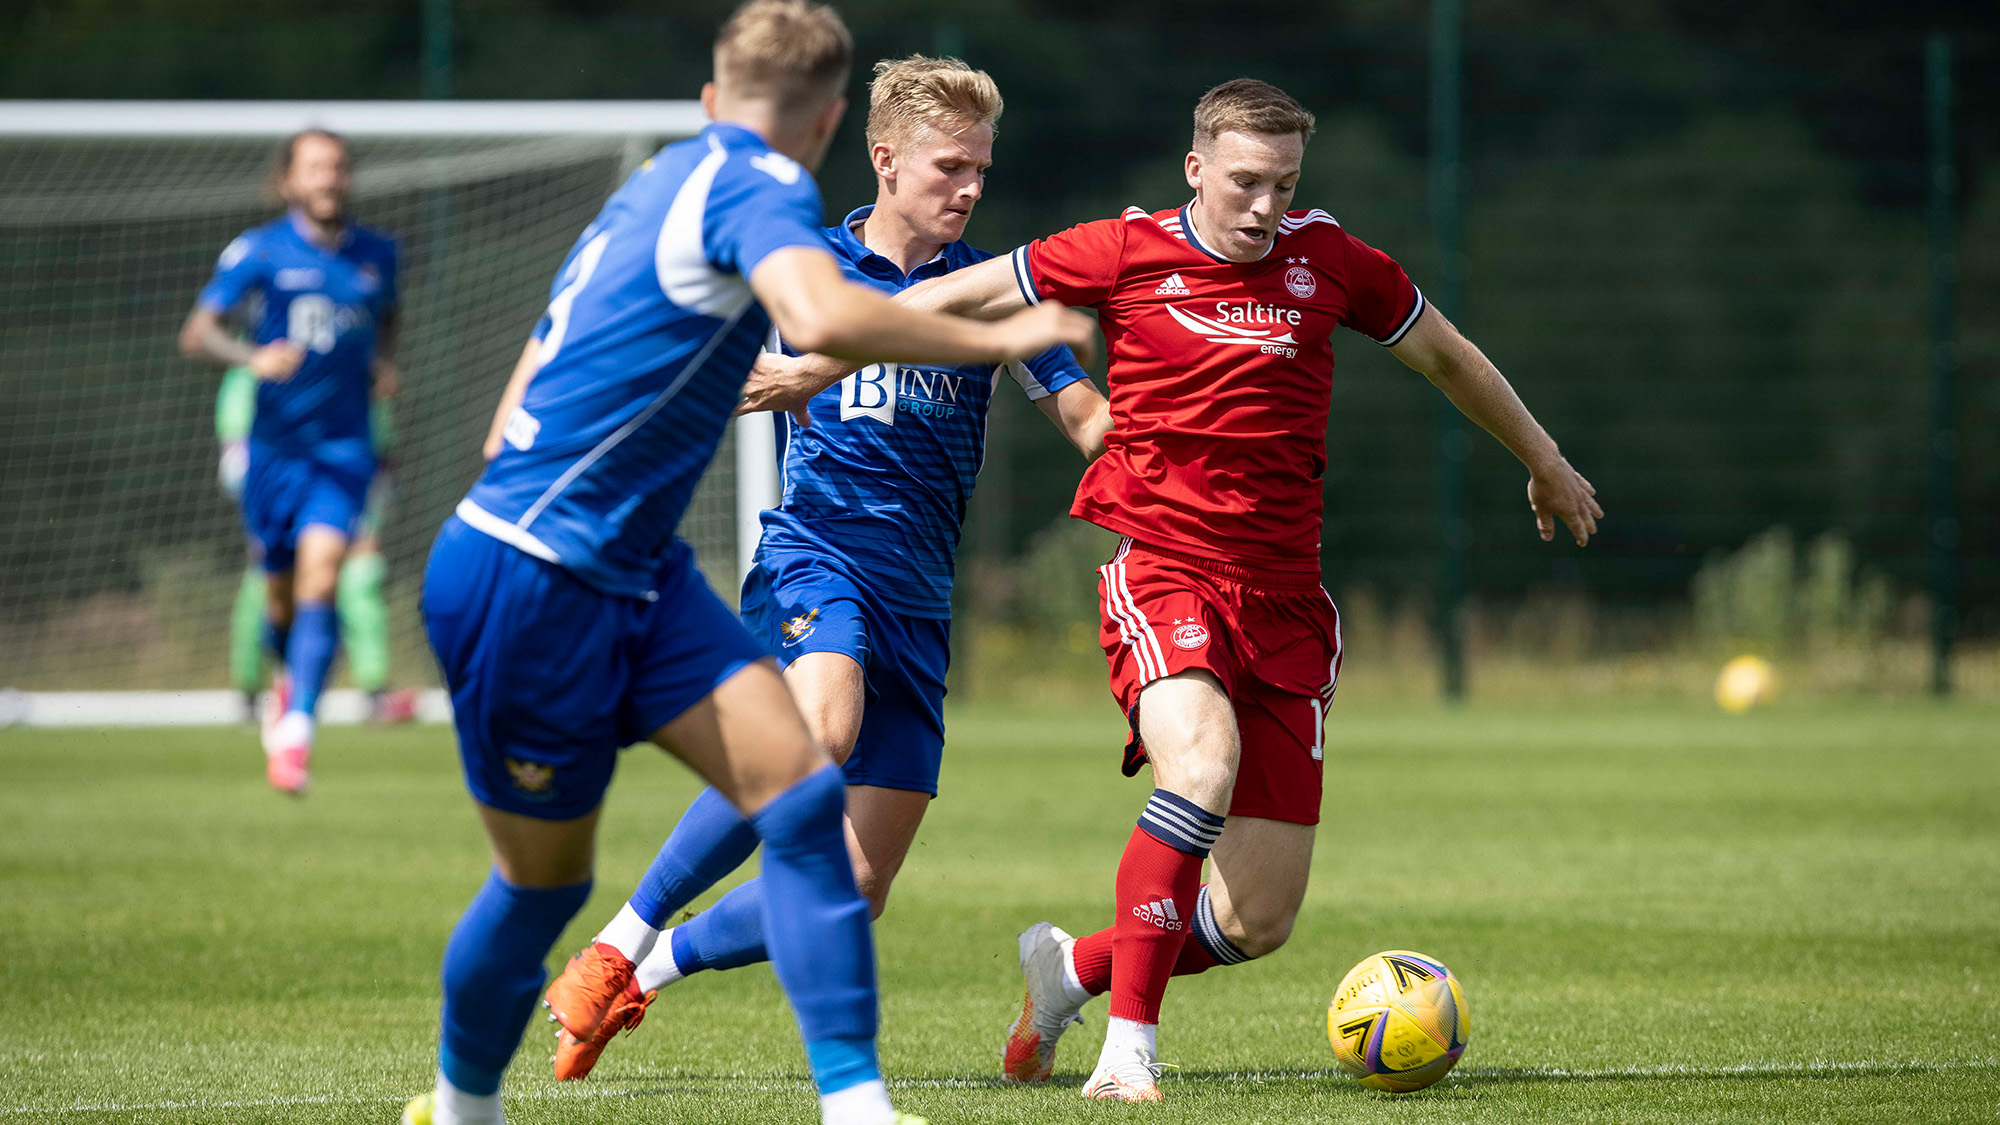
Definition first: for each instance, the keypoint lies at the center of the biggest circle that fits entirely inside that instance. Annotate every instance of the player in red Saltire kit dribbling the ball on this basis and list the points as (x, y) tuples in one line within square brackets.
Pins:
[(1223, 646)]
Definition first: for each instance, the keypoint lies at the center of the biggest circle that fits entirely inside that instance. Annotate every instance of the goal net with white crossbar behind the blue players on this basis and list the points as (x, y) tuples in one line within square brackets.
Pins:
[(121, 557)]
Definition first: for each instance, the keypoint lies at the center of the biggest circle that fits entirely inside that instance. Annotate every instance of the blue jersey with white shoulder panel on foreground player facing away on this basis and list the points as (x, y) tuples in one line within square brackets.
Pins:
[(647, 343)]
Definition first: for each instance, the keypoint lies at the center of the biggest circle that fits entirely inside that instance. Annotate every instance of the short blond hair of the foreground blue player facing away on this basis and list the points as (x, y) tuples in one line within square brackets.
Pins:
[(795, 53)]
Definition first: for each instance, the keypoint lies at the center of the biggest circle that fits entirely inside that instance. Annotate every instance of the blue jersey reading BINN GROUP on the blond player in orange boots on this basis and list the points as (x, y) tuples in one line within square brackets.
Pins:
[(889, 463)]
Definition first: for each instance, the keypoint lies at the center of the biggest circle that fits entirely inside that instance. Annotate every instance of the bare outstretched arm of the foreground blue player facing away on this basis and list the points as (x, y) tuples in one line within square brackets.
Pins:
[(819, 311)]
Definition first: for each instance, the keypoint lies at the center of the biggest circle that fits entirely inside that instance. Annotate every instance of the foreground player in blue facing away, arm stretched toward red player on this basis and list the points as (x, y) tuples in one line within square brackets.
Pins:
[(571, 620)]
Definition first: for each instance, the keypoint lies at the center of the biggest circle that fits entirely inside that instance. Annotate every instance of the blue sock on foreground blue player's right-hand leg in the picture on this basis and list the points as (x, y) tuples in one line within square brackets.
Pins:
[(817, 928)]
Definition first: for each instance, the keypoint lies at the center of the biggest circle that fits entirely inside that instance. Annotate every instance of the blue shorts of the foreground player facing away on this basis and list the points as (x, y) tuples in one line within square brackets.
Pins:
[(553, 678)]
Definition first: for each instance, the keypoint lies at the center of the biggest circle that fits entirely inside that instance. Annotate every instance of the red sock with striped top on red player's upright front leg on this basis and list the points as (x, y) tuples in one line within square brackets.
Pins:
[(1159, 880)]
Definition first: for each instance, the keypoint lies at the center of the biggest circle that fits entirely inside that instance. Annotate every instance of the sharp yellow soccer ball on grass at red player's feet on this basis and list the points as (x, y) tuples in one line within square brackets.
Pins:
[(1399, 1022)]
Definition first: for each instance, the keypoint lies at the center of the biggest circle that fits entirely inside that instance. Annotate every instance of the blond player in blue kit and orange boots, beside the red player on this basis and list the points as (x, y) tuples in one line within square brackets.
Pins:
[(853, 576)]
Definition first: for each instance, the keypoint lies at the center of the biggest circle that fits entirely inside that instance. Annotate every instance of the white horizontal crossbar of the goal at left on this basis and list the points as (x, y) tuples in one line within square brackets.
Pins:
[(353, 119)]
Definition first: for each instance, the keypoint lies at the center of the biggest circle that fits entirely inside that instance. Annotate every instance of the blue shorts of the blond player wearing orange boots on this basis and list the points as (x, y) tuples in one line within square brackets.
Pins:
[(807, 604)]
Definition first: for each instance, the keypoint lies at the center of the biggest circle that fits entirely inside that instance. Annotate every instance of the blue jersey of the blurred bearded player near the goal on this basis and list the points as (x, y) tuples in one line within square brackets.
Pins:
[(329, 303)]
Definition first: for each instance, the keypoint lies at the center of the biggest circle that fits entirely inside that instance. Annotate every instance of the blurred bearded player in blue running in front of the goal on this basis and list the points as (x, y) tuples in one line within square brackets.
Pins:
[(319, 299)]
